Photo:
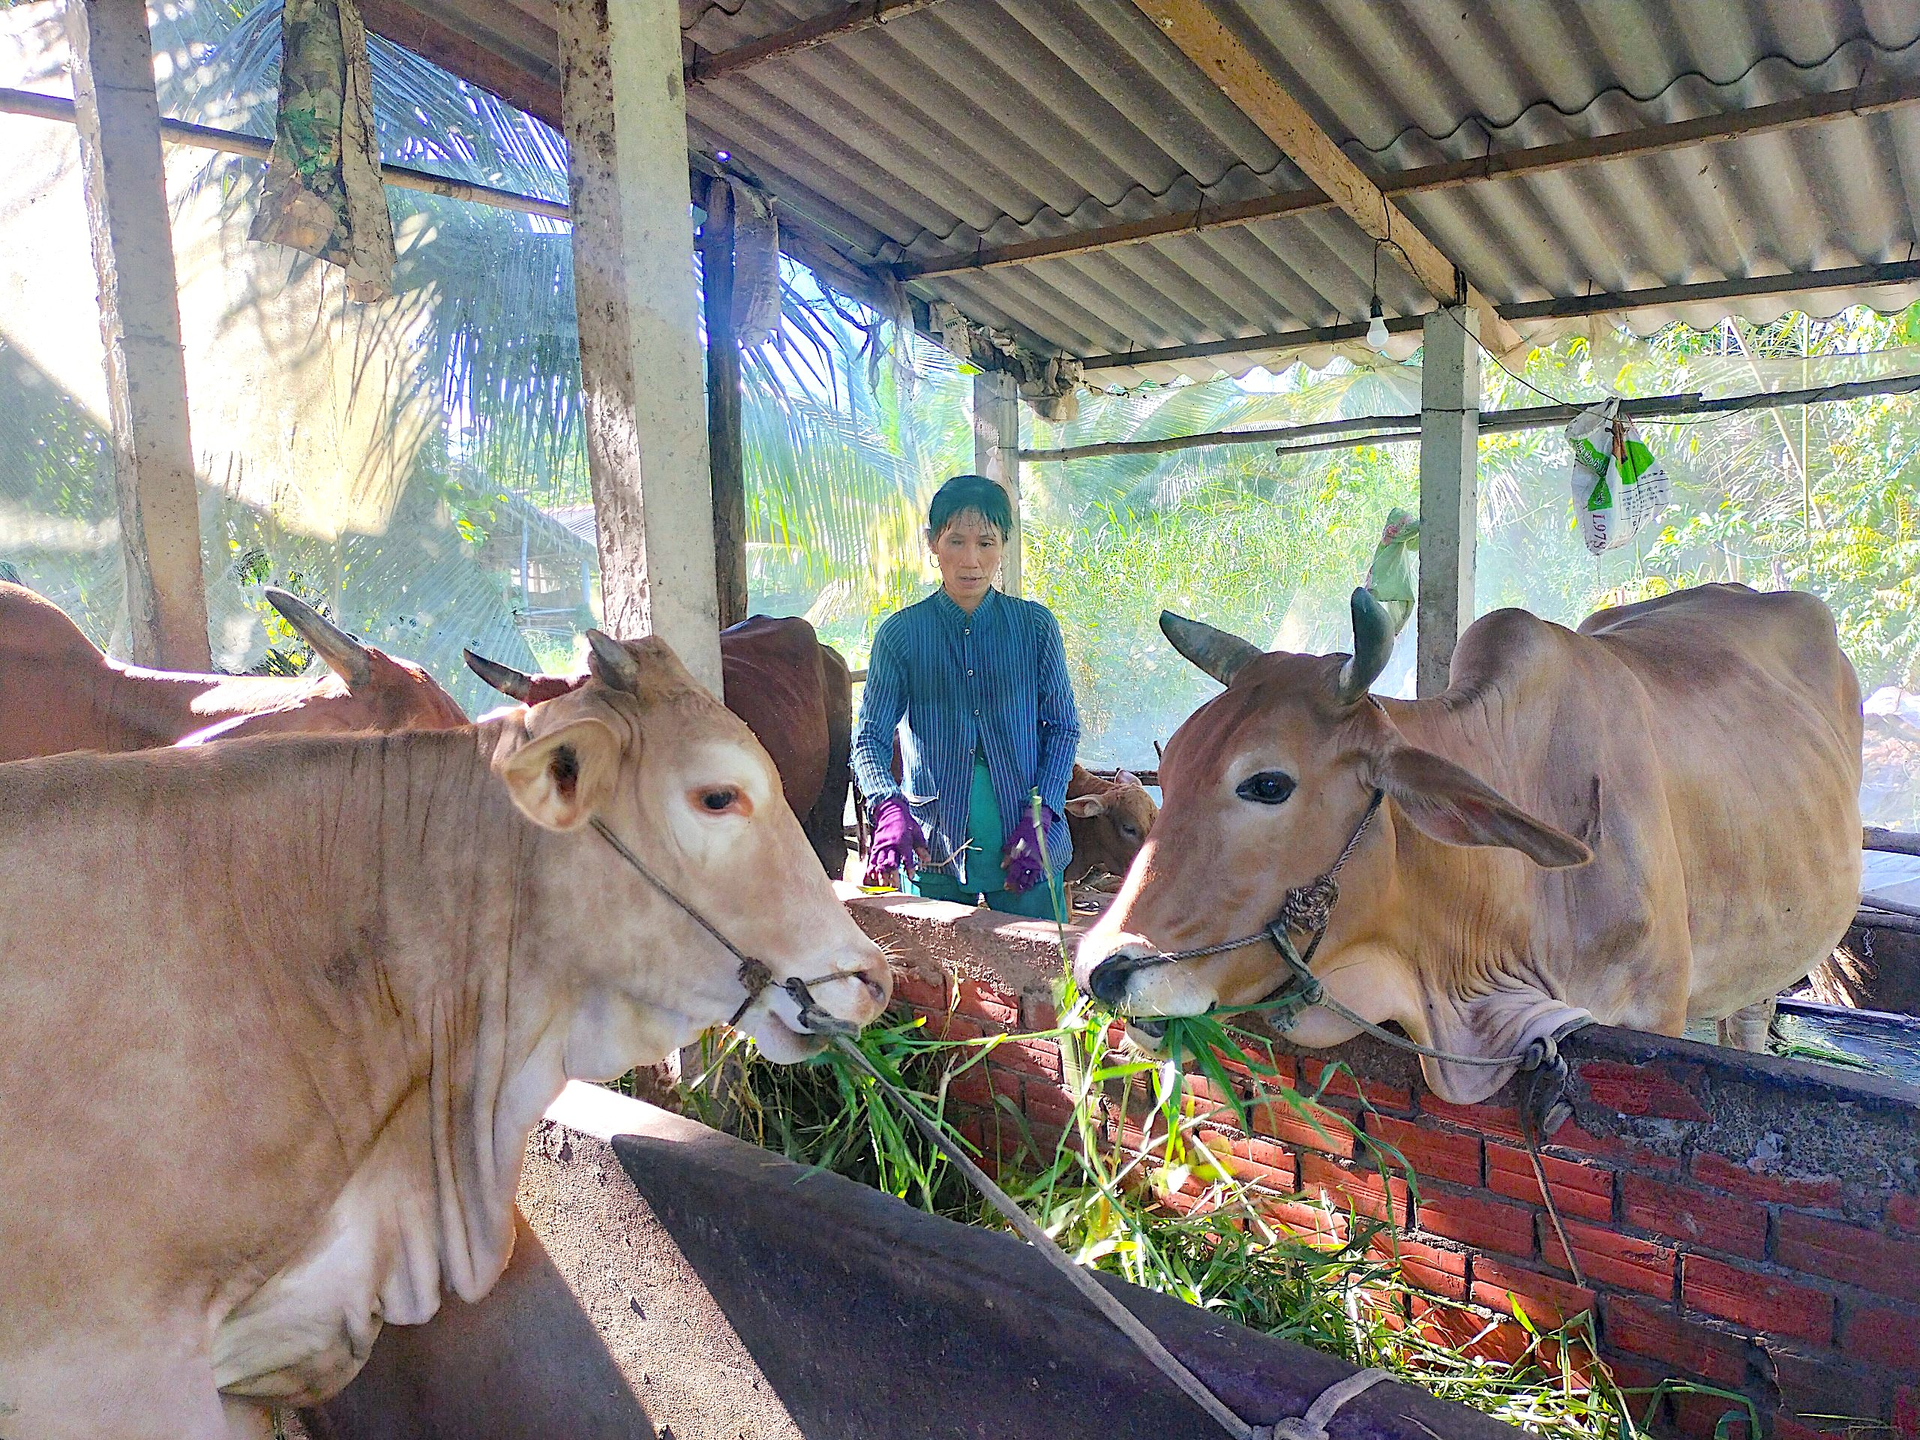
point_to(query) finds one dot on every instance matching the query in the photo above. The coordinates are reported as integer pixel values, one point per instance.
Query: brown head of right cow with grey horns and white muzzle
(1262, 790)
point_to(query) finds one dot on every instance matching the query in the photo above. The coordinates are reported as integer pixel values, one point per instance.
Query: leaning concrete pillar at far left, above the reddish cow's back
(141, 327)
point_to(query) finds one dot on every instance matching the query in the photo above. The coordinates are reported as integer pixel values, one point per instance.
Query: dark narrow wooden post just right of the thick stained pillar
(723, 406)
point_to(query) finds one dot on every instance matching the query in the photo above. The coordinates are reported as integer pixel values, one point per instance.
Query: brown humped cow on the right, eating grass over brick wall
(1646, 821)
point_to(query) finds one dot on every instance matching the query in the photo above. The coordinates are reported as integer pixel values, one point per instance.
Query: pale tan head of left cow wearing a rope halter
(692, 794)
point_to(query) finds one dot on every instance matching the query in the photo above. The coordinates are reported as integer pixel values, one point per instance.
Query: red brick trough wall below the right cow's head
(1742, 1222)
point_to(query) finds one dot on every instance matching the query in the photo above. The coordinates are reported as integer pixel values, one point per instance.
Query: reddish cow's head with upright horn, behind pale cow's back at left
(364, 690)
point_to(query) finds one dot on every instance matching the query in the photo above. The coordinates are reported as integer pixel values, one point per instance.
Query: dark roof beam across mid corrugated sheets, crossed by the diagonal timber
(1533, 160)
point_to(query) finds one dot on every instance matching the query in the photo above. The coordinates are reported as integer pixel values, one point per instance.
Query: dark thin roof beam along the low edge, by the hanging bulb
(1612, 302)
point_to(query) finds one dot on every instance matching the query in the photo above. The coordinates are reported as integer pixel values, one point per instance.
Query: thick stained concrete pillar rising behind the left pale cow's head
(623, 108)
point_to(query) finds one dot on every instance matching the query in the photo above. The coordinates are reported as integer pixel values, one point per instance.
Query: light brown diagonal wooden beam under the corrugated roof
(1220, 55)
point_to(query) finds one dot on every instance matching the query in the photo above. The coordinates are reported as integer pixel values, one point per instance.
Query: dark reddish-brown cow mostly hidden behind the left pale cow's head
(796, 696)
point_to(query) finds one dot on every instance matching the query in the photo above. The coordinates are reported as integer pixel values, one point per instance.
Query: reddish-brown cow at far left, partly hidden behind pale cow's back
(60, 694)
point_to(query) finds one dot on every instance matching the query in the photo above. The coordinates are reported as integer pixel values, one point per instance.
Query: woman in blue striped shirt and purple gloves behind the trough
(982, 683)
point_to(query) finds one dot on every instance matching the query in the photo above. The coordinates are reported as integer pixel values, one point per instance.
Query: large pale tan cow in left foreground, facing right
(279, 1015)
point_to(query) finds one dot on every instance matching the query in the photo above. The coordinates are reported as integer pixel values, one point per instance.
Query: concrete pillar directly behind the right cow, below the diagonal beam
(1451, 443)
